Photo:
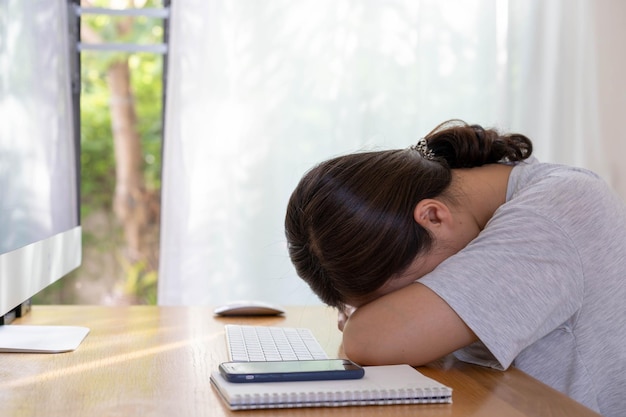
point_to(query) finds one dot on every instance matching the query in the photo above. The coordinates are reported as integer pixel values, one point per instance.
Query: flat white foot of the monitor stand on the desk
(40, 339)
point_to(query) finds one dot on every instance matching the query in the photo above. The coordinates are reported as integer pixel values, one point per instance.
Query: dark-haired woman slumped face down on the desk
(465, 244)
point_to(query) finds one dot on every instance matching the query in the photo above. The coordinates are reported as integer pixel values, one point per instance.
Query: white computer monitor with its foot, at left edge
(40, 231)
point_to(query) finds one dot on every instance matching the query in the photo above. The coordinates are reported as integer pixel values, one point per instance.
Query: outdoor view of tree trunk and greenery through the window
(120, 130)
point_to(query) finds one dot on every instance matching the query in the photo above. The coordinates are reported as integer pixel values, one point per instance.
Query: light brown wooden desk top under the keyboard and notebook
(156, 361)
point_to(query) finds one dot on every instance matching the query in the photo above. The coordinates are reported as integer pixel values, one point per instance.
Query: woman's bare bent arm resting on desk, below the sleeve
(412, 325)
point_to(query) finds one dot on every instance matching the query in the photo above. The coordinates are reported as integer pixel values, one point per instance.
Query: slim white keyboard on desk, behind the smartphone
(269, 343)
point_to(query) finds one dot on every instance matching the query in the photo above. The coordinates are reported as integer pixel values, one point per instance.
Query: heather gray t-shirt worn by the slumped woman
(543, 286)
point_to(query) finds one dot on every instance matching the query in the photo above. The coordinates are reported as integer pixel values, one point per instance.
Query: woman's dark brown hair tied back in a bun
(349, 222)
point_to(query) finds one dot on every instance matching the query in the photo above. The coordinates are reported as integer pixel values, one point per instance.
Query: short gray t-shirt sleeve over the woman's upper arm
(516, 282)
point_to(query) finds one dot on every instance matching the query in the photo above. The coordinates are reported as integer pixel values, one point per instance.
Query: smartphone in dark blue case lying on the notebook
(277, 371)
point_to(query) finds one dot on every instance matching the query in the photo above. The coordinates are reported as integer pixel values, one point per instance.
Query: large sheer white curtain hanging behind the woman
(259, 91)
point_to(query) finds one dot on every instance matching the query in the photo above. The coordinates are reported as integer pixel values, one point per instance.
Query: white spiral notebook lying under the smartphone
(381, 385)
